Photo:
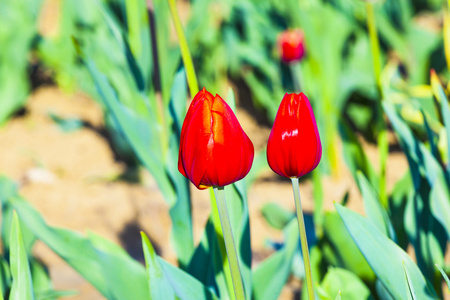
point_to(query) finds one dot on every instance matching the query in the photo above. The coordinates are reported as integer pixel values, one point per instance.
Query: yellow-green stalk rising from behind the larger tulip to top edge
(185, 53)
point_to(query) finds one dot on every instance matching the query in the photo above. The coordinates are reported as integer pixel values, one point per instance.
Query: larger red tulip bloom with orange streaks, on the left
(214, 150)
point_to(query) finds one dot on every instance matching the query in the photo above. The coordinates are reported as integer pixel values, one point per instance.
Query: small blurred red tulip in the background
(291, 45)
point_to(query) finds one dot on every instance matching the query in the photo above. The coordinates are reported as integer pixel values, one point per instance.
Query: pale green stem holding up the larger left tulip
(229, 243)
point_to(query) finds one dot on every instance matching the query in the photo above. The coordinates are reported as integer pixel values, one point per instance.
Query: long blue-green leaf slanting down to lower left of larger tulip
(141, 131)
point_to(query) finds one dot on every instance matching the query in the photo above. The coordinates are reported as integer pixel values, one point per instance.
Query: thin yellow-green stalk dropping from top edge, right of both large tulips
(383, 143)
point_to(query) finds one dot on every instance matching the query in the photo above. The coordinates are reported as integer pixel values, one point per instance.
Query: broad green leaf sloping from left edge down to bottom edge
(110, 270)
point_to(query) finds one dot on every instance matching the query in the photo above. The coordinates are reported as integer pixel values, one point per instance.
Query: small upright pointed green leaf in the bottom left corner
(22, 286)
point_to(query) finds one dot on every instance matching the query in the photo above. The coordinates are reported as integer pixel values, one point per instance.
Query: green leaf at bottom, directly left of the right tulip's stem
(271, 275)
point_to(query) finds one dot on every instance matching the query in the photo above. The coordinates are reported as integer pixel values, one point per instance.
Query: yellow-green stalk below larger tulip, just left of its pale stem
(215, 218)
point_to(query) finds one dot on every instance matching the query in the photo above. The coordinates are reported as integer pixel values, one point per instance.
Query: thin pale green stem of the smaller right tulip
(303, 240)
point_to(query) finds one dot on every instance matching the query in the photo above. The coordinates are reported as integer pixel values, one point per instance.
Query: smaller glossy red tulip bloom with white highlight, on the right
(294, 147)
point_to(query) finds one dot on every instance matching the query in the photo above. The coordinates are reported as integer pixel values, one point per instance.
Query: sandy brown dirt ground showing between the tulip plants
(70, 179)
